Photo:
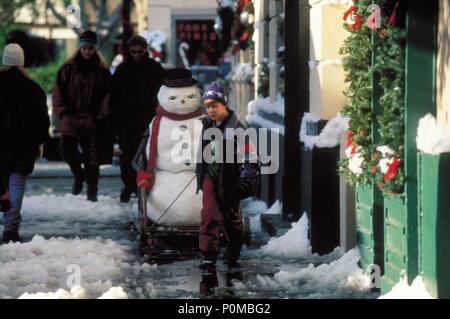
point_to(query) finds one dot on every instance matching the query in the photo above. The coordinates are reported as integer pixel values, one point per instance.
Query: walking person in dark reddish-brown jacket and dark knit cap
(80, 98)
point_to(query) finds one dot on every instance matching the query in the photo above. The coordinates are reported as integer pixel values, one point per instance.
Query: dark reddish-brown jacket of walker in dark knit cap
(80, 96)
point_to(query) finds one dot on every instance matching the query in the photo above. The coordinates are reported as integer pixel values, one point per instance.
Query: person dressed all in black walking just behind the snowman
(133, 102)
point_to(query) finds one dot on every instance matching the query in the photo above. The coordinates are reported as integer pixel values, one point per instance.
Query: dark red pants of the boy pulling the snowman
(216, 218)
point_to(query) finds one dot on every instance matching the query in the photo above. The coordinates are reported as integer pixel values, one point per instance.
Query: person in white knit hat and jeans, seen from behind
(24, 124)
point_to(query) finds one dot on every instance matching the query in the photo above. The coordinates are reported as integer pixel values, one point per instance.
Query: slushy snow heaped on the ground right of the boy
(302, 274)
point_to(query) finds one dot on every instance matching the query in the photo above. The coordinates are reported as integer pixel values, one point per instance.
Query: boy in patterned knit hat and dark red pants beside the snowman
(223, 182)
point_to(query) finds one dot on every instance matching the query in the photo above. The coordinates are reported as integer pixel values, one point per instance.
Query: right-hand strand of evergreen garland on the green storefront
(390, 64)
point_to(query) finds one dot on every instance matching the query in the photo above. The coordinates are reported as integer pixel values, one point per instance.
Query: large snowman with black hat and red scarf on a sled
(171, 149)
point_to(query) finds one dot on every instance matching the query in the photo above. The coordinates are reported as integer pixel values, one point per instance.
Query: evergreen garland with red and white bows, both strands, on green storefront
(390, 65)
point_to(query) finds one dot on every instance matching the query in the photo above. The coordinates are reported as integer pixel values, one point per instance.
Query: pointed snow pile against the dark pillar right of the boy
(293, 244)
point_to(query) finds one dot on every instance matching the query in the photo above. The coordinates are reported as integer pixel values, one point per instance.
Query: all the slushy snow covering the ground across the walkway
(110, 267)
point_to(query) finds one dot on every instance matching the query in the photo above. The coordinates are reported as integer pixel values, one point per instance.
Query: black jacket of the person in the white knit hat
(24, 121)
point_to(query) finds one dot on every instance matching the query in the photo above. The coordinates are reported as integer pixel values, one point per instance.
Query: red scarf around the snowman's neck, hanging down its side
(146, 178)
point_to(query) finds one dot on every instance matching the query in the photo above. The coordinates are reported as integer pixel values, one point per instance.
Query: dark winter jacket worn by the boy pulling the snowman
(236, 181)
